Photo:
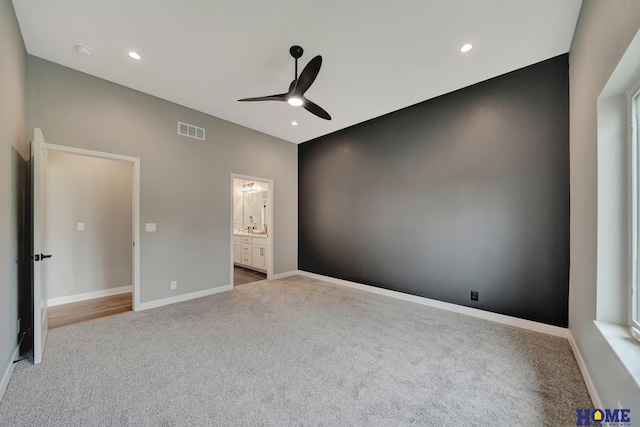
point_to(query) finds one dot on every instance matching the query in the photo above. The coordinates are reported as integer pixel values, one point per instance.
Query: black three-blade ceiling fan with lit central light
(297, 88)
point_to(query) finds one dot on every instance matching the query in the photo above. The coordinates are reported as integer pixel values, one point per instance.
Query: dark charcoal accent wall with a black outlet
(467, 191)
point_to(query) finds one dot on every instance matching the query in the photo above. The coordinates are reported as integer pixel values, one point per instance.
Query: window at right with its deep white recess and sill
(618, 214)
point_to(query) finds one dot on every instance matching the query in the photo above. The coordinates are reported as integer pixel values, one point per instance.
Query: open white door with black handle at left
(38, 176)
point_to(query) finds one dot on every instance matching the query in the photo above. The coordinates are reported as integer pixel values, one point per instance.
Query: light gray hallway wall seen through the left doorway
(96, 192)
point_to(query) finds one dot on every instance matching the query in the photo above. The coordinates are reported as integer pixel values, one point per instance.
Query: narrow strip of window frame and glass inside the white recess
(634, 301)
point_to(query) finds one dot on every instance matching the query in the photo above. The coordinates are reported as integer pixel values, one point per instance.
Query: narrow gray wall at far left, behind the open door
(12, 147)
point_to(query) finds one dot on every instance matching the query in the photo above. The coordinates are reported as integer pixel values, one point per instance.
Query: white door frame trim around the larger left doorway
(135, 162)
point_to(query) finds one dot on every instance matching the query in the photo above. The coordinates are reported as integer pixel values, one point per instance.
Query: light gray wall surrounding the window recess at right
(603, 33)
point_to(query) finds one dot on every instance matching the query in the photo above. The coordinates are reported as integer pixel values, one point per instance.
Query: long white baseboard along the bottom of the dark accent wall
(469, 311)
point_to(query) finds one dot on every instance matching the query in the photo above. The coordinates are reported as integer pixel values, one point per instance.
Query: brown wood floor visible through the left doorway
(68, 314)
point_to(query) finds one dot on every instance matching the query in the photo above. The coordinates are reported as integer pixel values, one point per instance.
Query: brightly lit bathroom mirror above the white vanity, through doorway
(250, 211)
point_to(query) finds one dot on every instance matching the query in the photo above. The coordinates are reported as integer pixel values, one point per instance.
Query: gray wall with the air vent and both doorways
(185, 183)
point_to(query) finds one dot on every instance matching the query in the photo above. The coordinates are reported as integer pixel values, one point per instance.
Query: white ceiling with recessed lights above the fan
(378, 56)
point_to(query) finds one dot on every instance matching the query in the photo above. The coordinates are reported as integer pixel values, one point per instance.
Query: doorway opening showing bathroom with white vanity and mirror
(251, 229)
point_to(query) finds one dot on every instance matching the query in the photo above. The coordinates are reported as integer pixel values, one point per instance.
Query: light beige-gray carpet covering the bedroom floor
(296, 351)
